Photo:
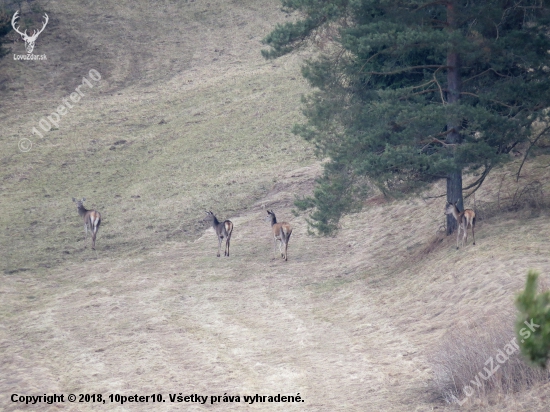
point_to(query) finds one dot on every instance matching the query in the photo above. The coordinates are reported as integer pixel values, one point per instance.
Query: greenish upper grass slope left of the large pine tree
(152, 145)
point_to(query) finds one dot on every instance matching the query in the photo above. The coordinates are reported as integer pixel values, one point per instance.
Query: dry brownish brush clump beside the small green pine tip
(481, 360)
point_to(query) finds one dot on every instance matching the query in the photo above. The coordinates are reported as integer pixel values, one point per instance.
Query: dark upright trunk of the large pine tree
(454, 179)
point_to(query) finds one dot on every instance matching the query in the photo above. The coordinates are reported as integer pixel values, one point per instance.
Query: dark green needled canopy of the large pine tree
(410, 92)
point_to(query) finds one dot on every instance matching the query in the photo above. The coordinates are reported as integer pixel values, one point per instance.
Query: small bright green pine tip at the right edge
(533, 324)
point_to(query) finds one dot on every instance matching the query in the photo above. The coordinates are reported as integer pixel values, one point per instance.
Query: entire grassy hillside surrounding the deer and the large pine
(189, 117)
